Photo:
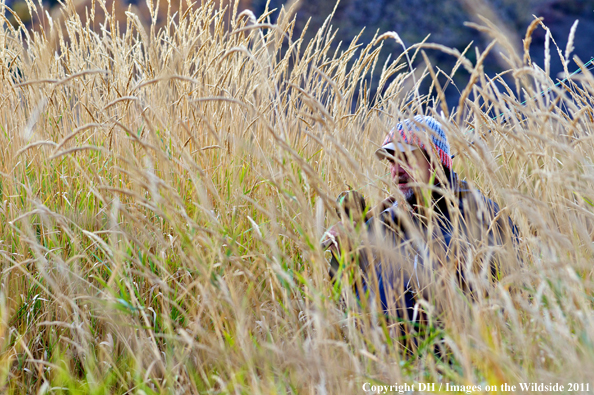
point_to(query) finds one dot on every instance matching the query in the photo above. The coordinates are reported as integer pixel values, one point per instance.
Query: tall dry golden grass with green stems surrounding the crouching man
(163, 194)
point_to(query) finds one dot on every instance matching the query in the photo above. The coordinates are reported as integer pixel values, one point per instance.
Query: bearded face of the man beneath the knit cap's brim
(408, 168)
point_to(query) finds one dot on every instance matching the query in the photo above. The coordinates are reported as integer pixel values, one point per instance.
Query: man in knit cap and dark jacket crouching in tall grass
(411, 247)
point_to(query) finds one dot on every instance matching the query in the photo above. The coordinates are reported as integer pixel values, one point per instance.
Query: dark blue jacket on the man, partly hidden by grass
(408, 253)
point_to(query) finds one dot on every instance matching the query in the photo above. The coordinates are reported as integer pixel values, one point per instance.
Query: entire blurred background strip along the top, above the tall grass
(413, 20)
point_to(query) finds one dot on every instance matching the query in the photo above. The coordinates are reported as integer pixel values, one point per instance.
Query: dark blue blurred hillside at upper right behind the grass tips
(444, 21)
